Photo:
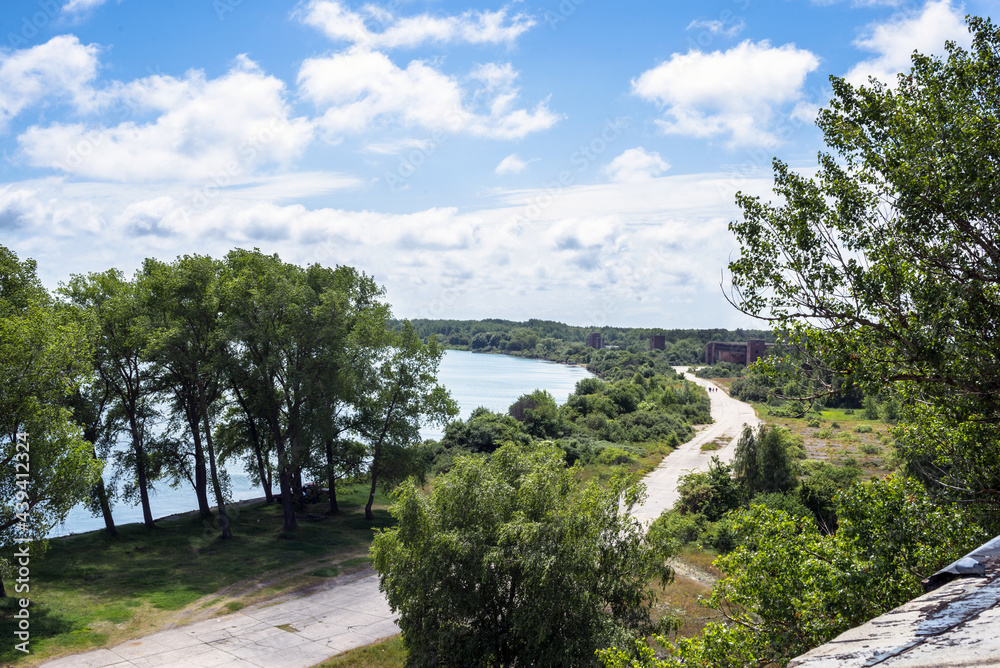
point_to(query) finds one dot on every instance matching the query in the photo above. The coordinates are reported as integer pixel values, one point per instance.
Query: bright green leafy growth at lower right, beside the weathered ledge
(787, 587)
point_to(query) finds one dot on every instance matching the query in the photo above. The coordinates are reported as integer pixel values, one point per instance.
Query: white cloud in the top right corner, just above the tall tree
(895, 40)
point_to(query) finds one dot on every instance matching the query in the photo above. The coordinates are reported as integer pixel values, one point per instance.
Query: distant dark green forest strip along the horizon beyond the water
(546, 339)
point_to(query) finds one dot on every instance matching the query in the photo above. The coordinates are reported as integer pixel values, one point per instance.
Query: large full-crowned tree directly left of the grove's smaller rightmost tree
(300, 343)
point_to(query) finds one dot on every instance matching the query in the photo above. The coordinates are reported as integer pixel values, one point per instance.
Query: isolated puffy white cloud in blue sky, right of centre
(732, 93)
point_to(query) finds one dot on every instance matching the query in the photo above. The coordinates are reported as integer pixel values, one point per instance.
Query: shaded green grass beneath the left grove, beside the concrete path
(91, 590)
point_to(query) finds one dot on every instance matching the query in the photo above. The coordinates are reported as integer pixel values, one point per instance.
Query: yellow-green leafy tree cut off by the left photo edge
(46, 467)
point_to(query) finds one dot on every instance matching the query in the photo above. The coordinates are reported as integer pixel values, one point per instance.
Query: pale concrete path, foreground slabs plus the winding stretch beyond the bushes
(305, 631)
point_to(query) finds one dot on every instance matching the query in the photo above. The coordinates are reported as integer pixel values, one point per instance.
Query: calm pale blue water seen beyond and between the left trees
(493, 381)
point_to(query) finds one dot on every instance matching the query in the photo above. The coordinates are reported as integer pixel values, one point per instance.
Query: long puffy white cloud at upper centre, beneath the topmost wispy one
(359, 88)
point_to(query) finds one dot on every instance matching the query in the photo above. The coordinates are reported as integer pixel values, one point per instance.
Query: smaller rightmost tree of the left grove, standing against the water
(400, 394)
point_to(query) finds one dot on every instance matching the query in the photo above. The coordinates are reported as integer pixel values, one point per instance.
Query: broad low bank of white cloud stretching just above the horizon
(638, 253)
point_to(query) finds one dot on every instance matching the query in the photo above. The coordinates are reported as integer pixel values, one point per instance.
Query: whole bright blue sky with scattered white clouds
(572, 160)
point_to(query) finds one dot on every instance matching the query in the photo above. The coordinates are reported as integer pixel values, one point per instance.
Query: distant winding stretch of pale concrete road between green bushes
(661, 484)
